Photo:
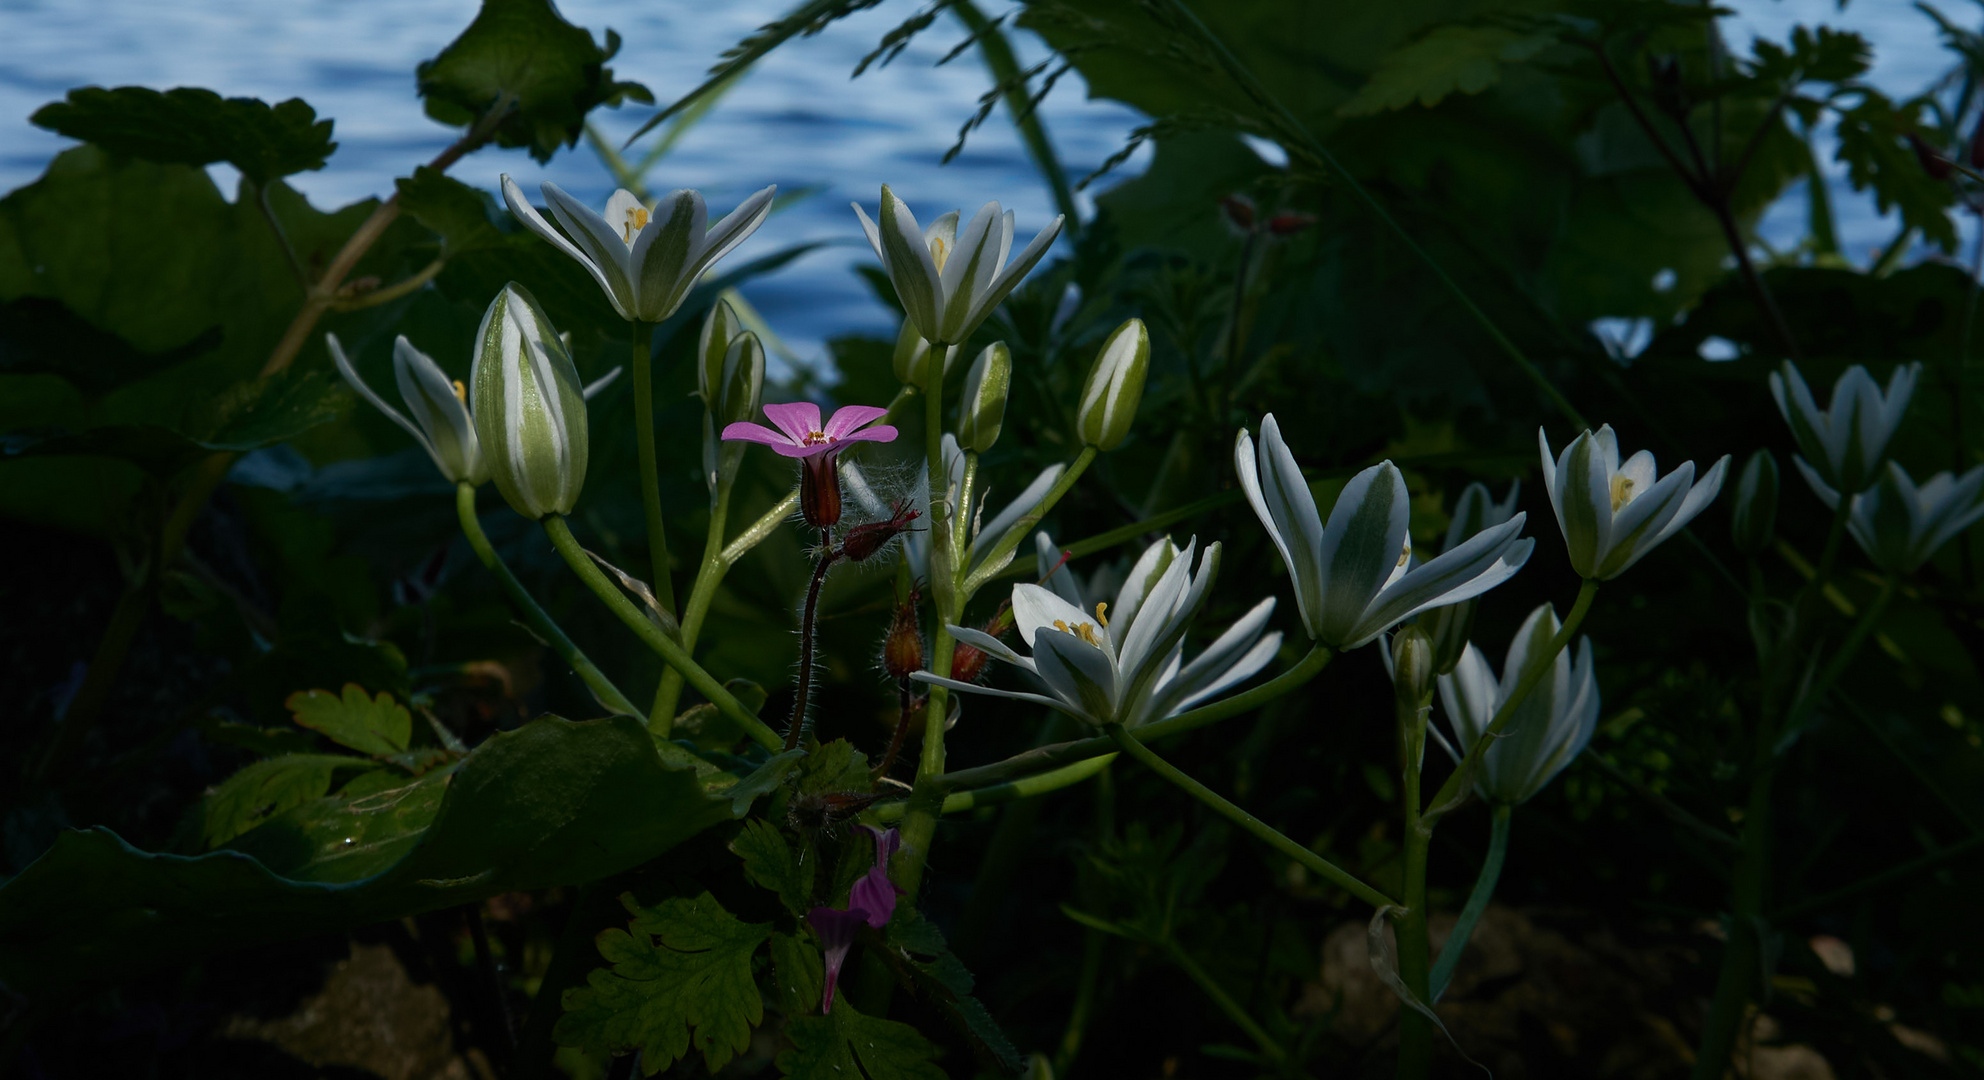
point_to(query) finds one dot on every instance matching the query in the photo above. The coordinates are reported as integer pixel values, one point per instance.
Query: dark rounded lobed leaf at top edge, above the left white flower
(527, 55)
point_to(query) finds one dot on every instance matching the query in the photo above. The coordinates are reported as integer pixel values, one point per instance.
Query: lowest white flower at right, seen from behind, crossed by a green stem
(1549, 730)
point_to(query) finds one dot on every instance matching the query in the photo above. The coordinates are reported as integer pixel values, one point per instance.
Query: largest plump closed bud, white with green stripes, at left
(529, 406)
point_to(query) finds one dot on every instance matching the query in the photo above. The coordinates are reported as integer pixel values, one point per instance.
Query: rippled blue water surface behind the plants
(797, 120)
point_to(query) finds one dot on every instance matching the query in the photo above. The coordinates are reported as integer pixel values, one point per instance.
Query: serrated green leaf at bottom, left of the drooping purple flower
(682, 974)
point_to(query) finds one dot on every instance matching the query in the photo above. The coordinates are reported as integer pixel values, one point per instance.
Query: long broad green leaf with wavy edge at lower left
(553, 803)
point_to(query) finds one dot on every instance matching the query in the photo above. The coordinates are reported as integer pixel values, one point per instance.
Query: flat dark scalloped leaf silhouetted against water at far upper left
(193, 126)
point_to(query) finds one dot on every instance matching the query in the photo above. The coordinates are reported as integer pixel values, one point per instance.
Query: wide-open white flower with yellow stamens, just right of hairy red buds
(1126, 662)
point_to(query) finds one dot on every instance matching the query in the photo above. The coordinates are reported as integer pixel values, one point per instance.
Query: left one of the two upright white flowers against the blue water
(646, 261)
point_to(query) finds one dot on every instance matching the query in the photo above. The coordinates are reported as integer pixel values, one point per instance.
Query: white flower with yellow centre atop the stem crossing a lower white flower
(1612, 513)
